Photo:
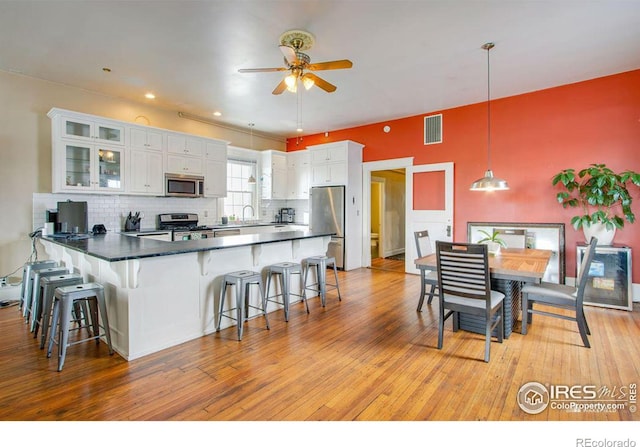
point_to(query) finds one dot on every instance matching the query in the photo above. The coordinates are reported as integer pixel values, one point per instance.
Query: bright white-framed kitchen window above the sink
(239, 192)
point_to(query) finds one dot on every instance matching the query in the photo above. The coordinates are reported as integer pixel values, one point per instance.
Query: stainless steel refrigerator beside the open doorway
(327, 214)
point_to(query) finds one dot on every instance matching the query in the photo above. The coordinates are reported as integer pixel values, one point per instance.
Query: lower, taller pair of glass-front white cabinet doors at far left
(79, 167)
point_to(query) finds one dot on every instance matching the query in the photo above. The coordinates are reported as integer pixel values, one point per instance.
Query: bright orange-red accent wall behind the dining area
(533, 136)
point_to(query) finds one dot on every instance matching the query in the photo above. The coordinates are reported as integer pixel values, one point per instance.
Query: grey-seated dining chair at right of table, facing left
(561, 297)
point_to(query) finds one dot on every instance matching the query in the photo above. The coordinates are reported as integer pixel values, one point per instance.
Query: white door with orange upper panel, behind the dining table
(429, 206)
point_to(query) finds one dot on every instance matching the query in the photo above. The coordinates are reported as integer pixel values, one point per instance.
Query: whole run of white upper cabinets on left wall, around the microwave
(94, 154)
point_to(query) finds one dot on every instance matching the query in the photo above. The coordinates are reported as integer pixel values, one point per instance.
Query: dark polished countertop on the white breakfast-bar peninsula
(114, 247)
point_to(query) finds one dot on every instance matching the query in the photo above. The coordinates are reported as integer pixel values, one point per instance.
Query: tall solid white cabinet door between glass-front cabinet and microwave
(145, 173)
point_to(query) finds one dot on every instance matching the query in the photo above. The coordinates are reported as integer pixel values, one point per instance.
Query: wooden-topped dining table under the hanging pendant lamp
(509, 269)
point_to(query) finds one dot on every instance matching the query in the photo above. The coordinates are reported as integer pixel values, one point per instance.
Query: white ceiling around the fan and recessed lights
(409, 57)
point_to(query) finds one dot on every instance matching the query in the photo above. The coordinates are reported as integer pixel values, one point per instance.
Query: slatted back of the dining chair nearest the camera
(463, 270)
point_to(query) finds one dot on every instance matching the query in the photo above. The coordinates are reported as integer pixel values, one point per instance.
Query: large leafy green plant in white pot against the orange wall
(602, 196)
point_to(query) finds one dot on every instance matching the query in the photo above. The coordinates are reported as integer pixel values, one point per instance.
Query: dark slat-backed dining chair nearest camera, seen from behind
(465, 287)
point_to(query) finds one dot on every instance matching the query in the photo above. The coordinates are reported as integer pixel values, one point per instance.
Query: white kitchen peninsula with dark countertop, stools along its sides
(159, 293)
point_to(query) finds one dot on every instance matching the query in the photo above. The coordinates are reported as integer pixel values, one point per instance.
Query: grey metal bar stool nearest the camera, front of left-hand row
(63, 300)
